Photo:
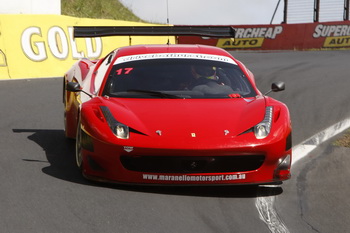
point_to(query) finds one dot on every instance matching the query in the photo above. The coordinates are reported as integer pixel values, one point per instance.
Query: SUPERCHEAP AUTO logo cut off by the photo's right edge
(335, 35)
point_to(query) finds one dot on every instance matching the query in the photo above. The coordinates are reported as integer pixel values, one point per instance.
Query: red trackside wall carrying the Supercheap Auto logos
(327, 35)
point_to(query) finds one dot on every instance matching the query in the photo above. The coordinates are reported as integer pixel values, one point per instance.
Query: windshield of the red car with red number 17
(177, 78)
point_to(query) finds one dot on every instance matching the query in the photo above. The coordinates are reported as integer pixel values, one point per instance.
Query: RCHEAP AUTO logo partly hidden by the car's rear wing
(250, 37)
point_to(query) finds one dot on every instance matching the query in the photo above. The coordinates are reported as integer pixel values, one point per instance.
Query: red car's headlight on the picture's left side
(119, 129)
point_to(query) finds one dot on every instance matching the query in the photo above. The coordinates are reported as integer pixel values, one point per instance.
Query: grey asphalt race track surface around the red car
(42, 191)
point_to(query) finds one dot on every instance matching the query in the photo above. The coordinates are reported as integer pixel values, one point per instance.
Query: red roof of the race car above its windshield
(176, 48)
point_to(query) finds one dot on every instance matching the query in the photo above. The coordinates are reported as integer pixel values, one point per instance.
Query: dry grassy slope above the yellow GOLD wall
(101, 9)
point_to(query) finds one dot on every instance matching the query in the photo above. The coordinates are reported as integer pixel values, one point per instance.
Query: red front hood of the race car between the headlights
(188, 117)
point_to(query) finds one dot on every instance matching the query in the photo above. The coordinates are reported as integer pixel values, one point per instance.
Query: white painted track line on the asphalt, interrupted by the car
(265, 205)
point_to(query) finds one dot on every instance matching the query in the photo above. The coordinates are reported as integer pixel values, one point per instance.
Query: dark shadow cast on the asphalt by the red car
(60, 155)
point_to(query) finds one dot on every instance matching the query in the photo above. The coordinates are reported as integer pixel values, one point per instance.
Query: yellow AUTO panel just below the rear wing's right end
(240, 43)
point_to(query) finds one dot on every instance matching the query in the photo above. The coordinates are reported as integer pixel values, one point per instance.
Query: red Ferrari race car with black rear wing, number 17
(174, 115)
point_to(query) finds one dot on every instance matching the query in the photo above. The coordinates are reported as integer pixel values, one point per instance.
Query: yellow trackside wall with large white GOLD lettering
(34, 46)
